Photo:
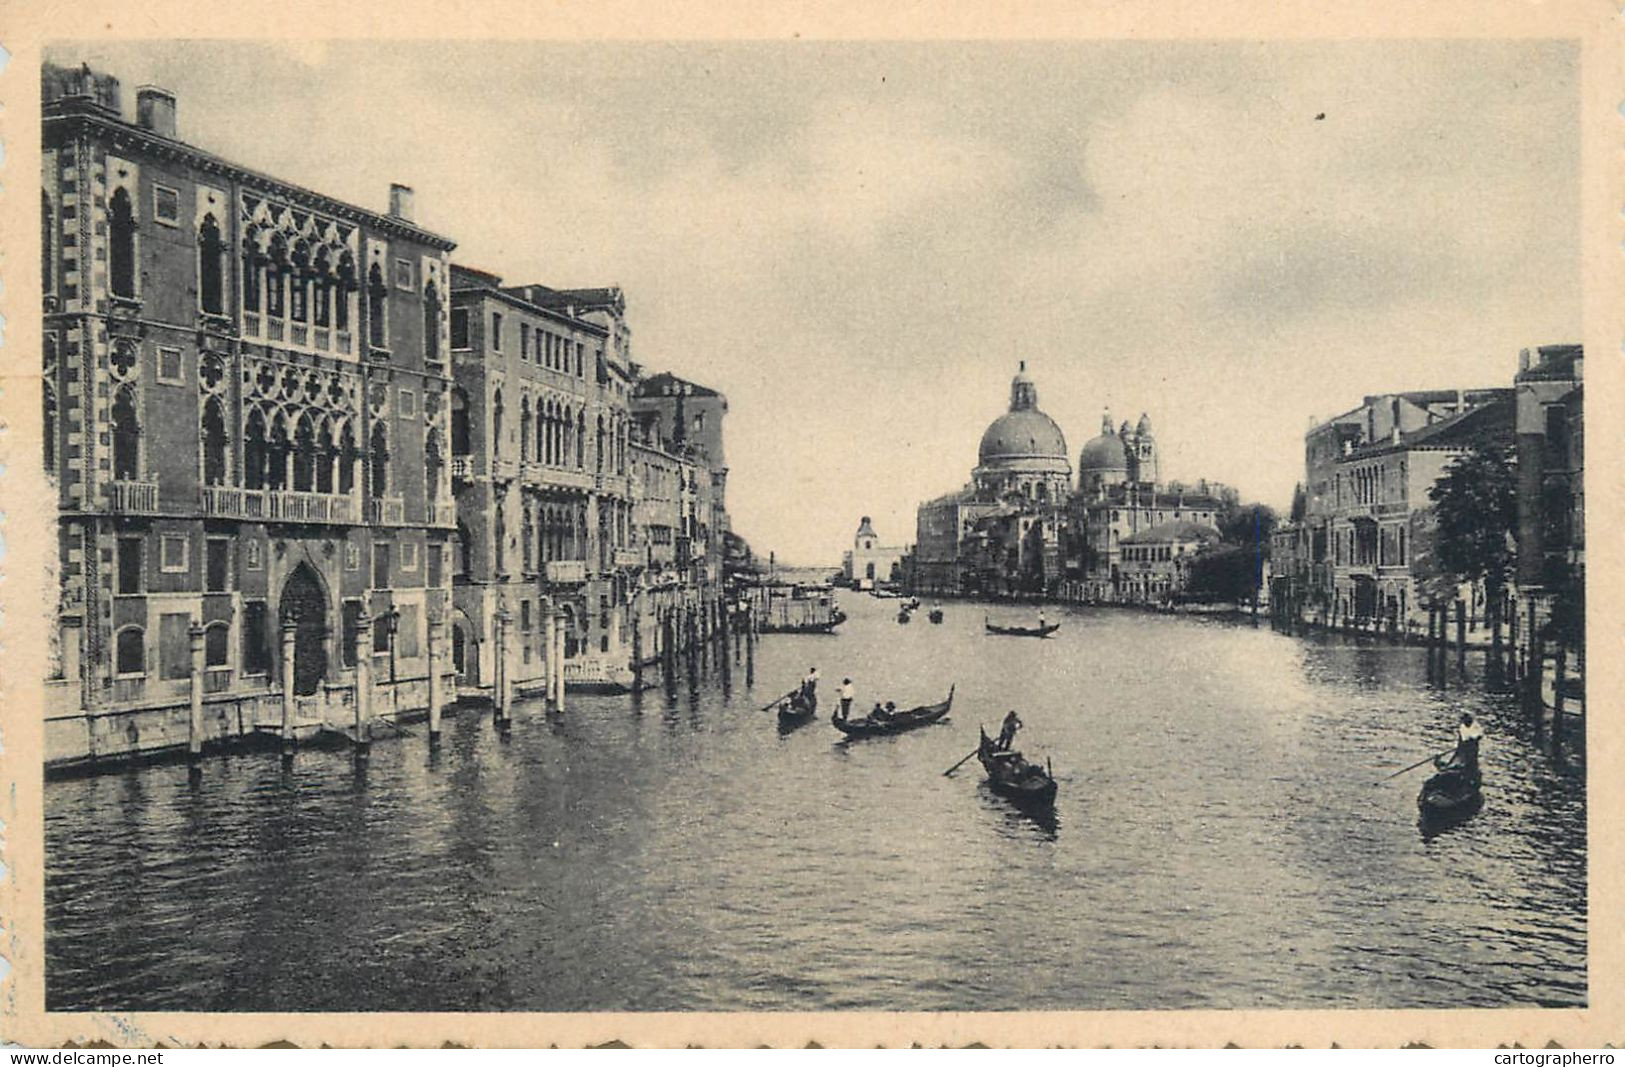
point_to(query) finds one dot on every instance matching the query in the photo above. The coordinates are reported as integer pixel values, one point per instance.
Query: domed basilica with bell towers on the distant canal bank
(1021, 524)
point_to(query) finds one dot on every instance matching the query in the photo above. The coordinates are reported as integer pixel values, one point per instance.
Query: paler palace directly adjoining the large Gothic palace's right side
(542, 462)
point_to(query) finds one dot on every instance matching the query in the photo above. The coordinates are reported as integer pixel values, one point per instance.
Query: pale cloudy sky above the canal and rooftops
(859, 243)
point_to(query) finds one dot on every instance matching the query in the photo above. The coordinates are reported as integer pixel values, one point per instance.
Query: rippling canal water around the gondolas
(1220, 842)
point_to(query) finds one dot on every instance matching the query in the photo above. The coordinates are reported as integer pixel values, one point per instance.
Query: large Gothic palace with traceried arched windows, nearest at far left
(248, 397)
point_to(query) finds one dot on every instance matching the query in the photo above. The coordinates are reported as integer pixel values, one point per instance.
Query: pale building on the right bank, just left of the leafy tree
(1366, 527)
